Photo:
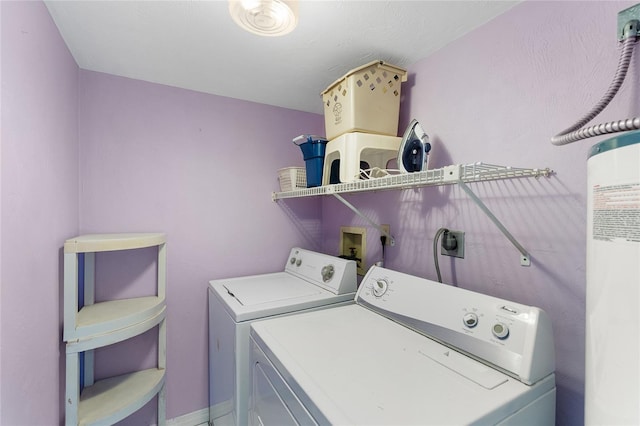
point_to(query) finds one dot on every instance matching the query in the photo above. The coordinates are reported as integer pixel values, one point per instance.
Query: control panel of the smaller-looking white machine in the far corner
(329, 272)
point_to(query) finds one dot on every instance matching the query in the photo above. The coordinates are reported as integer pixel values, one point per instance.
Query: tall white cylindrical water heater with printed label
(612, 352)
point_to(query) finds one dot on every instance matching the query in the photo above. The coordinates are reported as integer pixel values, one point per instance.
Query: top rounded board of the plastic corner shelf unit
(111, 242)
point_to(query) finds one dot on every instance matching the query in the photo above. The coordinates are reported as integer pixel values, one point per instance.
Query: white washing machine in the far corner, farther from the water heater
(310, 281)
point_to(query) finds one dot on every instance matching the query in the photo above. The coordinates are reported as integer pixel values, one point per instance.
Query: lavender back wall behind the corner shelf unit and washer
(200, 168)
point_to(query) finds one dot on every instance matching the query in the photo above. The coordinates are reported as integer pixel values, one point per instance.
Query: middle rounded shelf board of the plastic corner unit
(109, 316)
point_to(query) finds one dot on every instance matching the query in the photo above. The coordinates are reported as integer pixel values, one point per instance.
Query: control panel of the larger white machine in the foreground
(516, 338)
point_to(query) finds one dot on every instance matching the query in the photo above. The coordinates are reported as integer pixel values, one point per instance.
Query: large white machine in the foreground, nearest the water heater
(410, 351)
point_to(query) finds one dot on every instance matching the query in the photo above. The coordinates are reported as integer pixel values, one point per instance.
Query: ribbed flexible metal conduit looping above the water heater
(576, 132)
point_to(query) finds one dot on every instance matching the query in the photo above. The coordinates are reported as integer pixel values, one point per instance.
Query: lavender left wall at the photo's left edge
(39, 198)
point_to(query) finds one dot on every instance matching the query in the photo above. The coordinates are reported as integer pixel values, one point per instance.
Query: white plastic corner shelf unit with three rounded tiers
(100, 324)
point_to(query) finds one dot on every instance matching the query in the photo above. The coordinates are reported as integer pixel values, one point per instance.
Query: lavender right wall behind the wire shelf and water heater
(497, 95)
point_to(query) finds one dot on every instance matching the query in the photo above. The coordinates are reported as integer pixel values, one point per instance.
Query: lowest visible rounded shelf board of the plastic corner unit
(108, 401)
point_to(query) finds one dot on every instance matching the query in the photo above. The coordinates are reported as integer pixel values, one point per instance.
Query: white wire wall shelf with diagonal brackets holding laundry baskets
(458, 174)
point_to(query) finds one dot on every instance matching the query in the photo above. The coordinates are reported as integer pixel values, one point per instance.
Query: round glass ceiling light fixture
(265, 17)
